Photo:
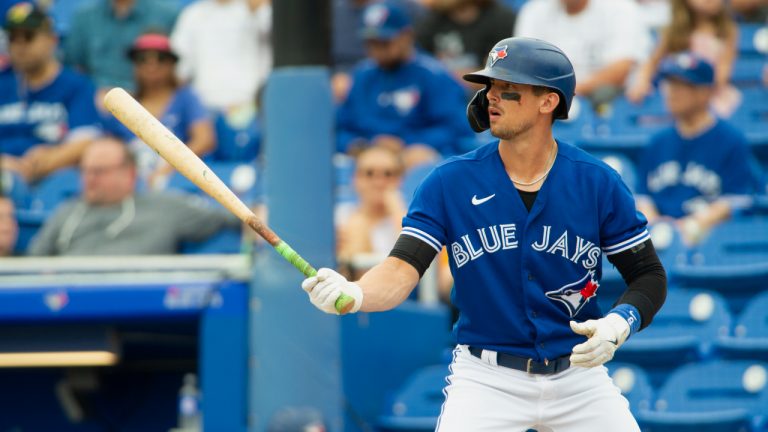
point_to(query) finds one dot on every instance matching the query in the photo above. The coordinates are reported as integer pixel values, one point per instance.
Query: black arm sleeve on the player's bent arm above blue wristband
(645, 278)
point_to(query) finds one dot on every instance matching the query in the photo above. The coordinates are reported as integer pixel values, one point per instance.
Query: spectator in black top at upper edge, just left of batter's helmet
(459, 32)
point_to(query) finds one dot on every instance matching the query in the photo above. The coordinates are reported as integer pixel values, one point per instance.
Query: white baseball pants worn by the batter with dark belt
(482, 396)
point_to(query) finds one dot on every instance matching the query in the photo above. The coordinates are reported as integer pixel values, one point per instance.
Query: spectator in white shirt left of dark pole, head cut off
(225, 49)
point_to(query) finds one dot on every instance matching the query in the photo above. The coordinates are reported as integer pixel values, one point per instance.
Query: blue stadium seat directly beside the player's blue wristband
(682, 331)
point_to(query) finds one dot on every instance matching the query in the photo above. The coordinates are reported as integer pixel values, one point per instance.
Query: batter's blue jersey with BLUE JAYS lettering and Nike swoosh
(521, 276)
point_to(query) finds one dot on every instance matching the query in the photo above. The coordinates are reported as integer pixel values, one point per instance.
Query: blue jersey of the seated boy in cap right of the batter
(681, 174)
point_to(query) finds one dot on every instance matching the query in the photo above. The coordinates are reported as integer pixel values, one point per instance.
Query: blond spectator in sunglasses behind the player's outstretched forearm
(373, 226)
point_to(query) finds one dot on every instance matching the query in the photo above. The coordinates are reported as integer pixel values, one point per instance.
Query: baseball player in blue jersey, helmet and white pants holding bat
(526, 220)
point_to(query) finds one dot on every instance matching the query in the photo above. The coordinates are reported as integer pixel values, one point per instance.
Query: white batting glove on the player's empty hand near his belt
(605, 336)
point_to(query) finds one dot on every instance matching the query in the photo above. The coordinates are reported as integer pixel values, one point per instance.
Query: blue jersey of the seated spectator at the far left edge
(57, 112)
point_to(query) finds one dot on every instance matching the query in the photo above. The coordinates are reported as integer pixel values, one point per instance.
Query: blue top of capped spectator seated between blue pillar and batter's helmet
(420, 102)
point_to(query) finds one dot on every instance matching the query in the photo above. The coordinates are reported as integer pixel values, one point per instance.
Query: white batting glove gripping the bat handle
(327, 286)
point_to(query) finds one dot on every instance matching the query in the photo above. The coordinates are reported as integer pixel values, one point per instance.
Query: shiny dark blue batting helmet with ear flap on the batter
(530, 61)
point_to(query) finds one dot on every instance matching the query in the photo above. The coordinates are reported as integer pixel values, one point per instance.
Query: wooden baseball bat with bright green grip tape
(136, 118)
